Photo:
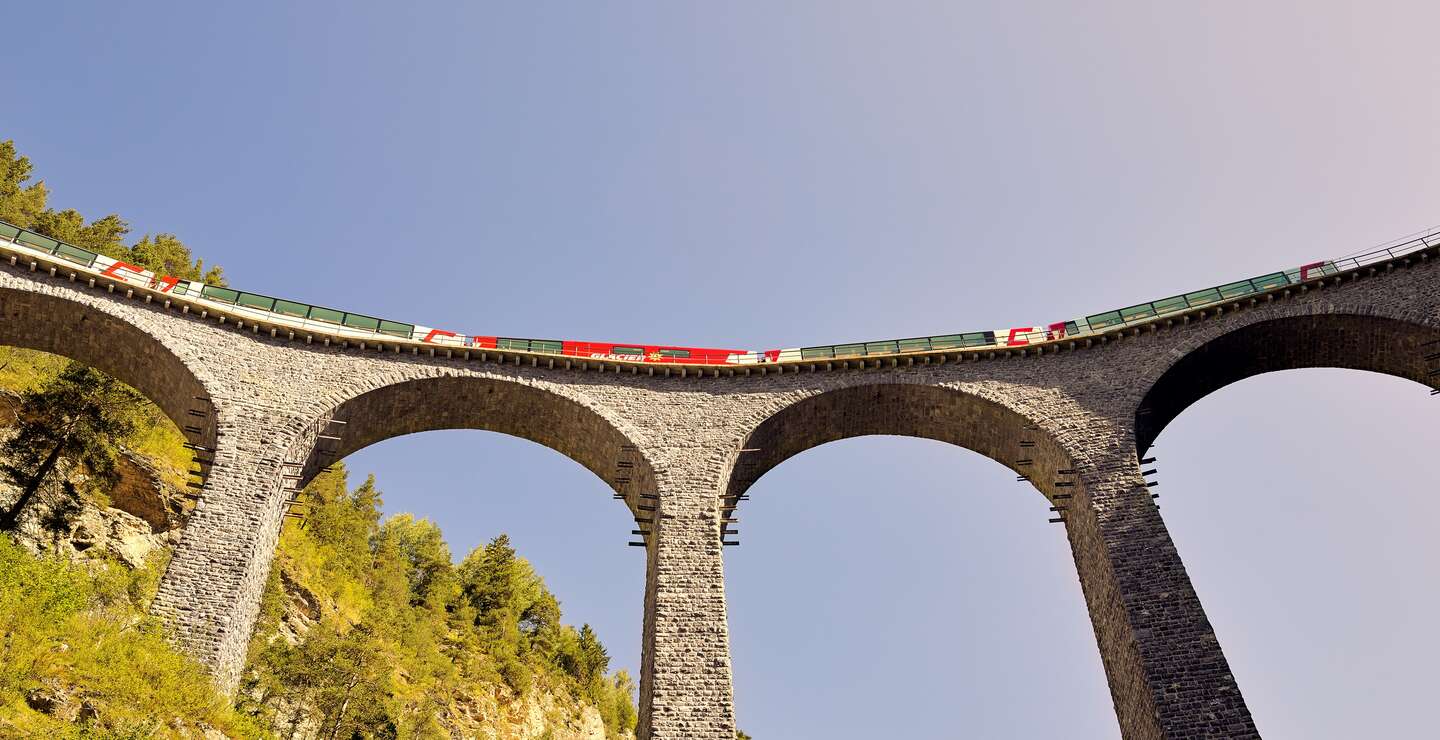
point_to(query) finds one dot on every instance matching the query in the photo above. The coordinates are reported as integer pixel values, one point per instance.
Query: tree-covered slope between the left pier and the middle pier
(401, 631)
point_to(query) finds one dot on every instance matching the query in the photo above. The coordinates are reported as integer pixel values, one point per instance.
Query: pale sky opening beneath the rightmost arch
(1304, 505)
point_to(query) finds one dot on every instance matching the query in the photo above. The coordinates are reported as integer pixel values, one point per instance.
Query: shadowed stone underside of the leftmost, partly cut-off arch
(114, 346)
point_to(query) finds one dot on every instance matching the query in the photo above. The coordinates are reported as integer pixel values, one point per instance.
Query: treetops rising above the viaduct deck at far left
(27, 207)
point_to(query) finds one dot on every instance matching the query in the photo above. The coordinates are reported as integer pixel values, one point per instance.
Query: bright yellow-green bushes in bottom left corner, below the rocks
(87, 631)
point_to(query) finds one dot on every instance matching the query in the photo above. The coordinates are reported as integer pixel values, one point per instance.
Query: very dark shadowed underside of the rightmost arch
(1356, 340)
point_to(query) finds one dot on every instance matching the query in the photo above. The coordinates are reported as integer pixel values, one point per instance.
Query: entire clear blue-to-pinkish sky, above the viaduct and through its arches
(773, 175)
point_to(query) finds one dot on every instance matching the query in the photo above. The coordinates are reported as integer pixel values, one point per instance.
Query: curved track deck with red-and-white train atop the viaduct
(310, 323)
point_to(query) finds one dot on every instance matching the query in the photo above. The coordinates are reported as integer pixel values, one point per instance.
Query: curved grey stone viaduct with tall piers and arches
(682, 444)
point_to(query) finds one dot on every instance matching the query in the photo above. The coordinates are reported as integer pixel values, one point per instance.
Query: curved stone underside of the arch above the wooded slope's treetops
(564, 424)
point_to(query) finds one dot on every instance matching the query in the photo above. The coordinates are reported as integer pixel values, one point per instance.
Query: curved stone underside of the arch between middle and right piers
(902, 410)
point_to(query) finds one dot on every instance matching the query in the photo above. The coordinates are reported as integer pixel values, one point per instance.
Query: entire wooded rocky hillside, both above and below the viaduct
(369, 627)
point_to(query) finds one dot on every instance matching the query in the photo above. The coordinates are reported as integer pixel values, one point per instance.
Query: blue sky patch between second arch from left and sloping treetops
(554, 510)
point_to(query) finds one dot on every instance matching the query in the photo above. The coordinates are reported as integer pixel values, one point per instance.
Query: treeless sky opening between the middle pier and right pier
(889, 587)
